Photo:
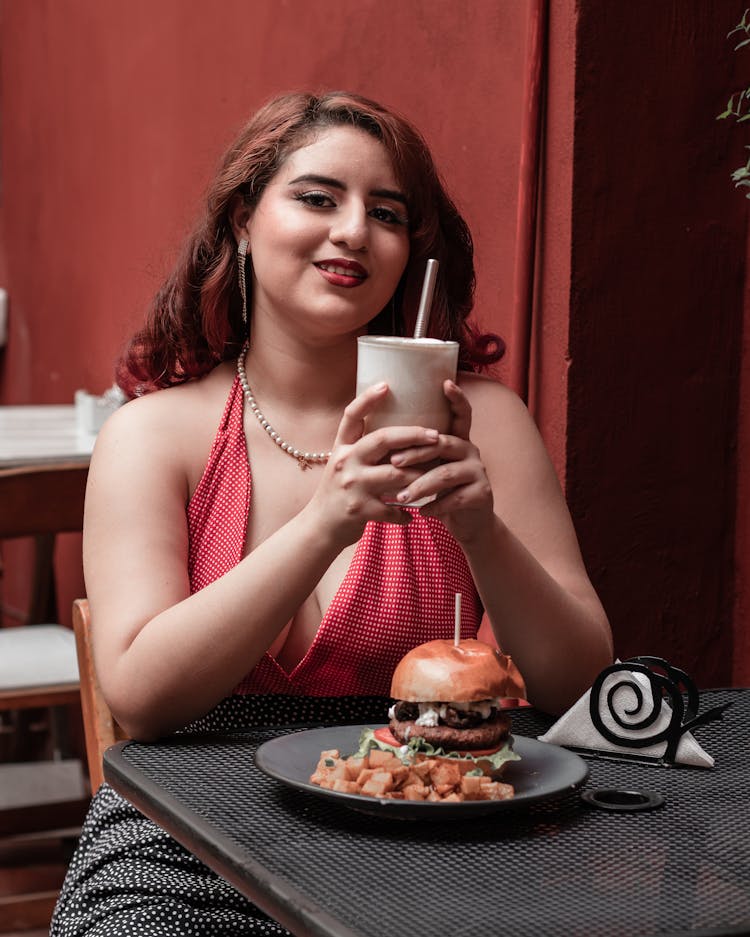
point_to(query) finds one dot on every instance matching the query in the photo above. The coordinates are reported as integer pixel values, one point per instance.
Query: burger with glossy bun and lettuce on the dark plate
(447, 703)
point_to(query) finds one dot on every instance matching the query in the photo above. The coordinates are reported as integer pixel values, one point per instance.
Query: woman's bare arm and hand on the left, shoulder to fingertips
(165, 656)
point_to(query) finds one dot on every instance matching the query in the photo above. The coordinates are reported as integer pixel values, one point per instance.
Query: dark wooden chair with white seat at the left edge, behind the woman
(40, 698)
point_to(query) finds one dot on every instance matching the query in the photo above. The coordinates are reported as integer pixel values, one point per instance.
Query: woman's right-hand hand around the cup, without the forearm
(464, 500)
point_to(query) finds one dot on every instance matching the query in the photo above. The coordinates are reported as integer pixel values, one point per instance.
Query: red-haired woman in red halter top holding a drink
(228, 596)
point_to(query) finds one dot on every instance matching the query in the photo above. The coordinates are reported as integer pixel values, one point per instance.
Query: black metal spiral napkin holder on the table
(667, 684)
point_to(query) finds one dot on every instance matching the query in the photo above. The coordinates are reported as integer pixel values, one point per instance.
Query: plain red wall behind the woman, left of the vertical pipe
(114, 116)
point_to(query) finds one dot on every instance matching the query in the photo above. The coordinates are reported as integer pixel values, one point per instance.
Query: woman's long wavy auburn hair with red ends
(195, 320)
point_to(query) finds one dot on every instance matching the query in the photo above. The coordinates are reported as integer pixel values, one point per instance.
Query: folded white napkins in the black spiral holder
(575, 728)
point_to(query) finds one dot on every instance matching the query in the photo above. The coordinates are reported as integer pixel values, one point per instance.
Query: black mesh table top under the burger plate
(557, 868)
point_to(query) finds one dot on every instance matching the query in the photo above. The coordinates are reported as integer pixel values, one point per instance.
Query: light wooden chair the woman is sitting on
(100, 728)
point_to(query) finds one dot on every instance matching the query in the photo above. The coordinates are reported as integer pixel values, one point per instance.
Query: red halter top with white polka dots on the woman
(398, 592)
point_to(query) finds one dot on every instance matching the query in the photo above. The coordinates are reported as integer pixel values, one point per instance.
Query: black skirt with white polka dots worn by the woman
(128, 878)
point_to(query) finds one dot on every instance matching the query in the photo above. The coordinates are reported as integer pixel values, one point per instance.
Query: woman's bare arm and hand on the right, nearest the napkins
(508, 512)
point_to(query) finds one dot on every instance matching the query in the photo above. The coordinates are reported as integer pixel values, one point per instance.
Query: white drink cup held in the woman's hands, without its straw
(414, 370)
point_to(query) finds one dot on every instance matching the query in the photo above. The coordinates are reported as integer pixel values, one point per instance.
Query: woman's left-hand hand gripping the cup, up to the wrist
(361, 476)
